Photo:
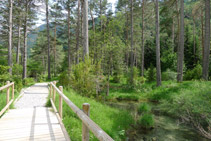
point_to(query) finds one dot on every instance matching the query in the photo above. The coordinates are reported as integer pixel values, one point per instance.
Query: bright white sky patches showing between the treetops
(41, 14)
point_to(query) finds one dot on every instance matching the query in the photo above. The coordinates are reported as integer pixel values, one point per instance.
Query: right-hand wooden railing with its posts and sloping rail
(87, 123)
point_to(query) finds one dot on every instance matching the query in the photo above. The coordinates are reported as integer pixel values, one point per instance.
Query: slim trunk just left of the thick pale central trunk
(78, 34)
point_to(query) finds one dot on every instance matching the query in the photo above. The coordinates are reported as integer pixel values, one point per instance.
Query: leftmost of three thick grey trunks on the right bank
(158, 67)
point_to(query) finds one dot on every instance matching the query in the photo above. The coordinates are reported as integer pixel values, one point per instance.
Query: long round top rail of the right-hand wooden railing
(97, 131)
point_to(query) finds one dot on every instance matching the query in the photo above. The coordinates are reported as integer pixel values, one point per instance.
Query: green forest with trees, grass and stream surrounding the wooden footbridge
(143, 65)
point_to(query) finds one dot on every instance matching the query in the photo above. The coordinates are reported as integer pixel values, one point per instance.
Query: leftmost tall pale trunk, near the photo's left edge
(10, 37)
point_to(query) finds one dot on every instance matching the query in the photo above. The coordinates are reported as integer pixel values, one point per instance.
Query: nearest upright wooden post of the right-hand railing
(85, 130)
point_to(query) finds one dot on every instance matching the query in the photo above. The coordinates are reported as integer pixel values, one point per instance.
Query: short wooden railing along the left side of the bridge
(8, 101)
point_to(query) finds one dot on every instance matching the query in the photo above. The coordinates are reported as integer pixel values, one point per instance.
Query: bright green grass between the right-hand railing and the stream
(112, 121)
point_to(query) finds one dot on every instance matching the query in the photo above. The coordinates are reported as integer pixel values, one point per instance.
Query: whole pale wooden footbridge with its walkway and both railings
(32, 121)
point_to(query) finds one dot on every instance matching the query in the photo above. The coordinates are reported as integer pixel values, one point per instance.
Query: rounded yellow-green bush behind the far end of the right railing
(85, 78)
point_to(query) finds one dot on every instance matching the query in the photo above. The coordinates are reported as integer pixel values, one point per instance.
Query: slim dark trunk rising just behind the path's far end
(48, 38)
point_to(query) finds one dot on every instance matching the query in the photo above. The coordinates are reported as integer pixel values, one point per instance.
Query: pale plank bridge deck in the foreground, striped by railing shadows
(38, 123)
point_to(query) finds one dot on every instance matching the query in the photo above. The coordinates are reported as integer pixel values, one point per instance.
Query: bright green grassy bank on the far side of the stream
(168, 90)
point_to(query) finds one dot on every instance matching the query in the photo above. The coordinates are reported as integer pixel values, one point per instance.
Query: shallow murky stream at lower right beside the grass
(166, 128)
